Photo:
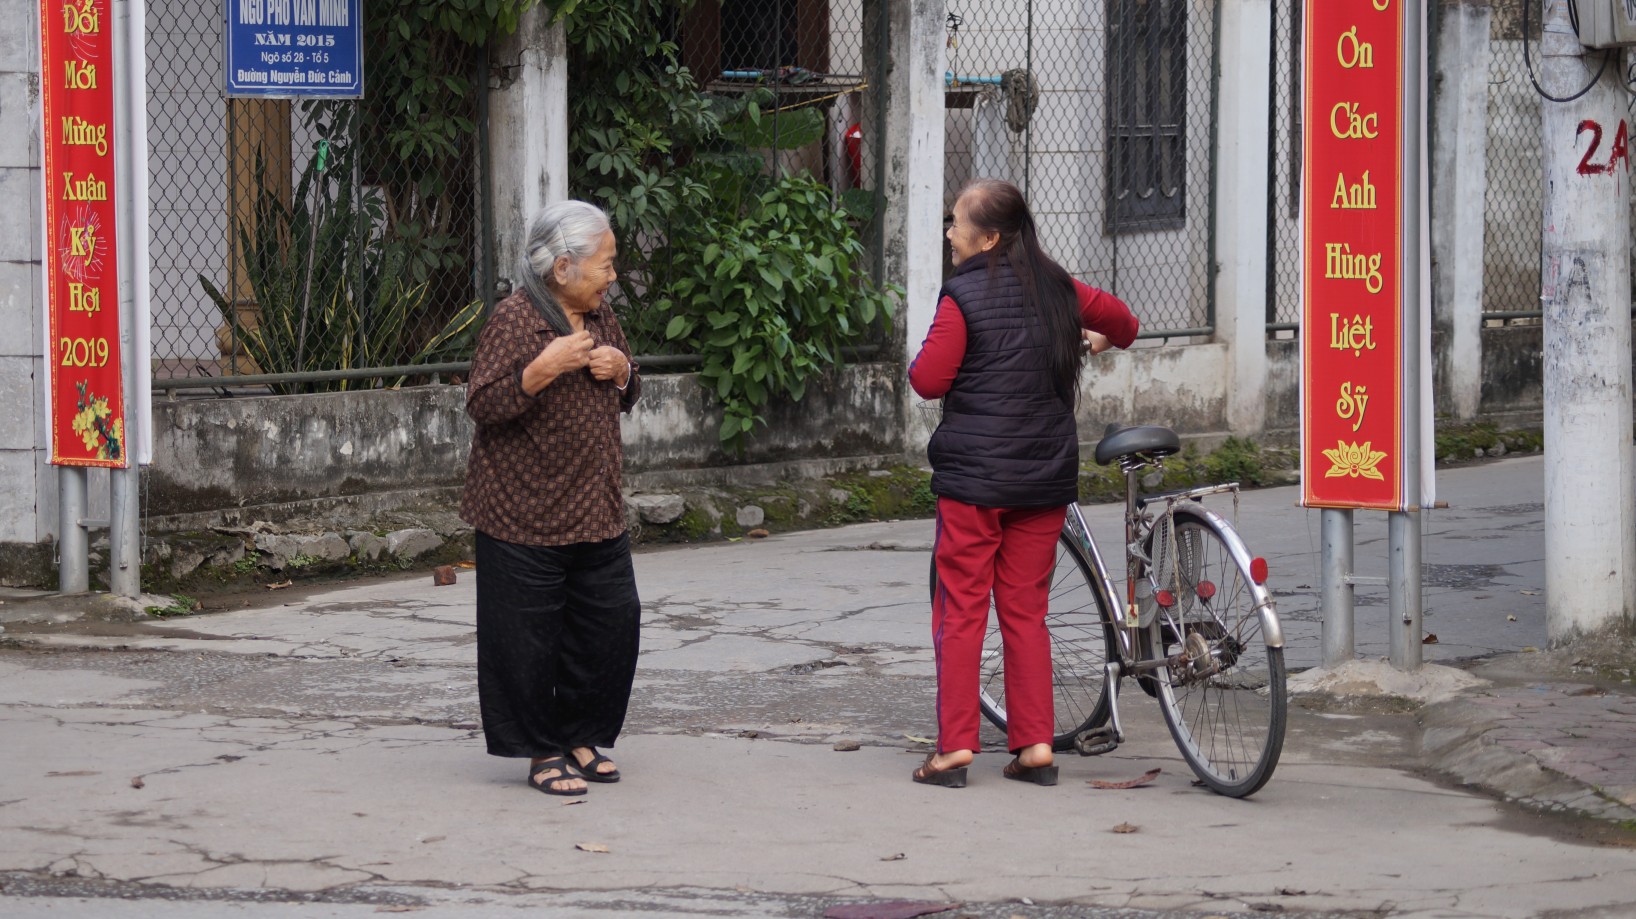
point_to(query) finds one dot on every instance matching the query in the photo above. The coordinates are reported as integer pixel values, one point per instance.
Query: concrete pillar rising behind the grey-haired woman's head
(528, 132)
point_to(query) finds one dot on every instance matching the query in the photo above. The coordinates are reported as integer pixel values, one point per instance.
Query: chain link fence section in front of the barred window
(1105, 115)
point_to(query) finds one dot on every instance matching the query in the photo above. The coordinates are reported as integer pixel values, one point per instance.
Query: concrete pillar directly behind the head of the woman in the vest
(914, 173)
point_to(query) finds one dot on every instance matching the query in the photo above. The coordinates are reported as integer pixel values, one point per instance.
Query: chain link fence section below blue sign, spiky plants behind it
(294, 246)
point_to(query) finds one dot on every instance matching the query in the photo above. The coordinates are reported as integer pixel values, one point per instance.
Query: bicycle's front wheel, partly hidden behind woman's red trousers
(1081, 637)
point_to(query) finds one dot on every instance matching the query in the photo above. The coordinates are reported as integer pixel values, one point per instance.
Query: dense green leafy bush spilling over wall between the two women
(757, 274)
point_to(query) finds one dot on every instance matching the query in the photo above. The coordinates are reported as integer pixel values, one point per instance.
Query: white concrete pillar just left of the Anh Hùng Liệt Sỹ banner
(1241, 207)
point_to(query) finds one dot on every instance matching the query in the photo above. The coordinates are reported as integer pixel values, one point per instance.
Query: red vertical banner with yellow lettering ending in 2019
(83, 287)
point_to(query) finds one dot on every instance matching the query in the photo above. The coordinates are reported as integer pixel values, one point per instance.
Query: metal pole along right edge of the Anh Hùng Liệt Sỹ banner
(1405, 526)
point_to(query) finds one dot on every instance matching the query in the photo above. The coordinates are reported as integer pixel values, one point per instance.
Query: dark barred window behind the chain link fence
(1148, 66)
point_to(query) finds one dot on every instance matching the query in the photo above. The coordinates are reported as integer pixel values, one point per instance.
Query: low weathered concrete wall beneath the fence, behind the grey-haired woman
(281, 451)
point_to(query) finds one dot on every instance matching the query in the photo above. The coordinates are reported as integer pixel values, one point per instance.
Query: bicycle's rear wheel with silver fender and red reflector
(1223, 694)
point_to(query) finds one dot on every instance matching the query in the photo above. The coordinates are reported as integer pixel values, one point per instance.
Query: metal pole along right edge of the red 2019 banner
(125, 536)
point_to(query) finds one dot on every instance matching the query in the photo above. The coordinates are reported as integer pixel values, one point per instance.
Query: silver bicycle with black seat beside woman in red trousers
(1197, 629)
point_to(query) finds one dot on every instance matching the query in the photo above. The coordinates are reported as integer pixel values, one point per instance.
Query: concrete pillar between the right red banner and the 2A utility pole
(1460, 166)
